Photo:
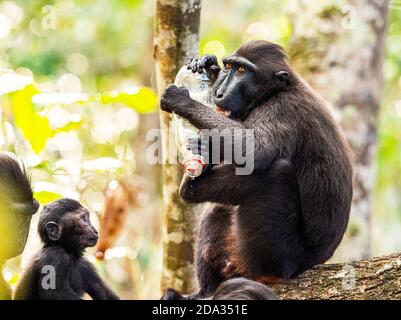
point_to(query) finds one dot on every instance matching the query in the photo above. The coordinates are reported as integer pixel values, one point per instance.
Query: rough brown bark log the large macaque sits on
(378, 278)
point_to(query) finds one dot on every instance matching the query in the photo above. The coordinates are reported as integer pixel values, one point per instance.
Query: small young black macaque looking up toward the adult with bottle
(59, 271)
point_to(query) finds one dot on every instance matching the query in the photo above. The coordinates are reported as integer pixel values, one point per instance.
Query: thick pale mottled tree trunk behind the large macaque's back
(340, 49)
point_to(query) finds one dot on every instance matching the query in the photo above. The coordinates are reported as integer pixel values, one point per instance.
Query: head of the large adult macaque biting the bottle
(249, 76)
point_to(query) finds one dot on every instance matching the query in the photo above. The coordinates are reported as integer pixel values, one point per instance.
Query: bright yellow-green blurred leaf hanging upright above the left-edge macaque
(35, 128)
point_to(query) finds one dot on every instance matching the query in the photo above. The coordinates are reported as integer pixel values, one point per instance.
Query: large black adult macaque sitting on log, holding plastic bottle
(292, 211)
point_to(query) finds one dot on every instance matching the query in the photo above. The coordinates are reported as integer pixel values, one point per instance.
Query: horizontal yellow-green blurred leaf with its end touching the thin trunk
(141, 99)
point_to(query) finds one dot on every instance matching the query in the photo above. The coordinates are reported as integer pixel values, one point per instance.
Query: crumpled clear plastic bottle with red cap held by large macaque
(199, 88)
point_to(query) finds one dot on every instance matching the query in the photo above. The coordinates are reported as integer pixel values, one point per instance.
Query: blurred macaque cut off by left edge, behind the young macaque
(17, 206)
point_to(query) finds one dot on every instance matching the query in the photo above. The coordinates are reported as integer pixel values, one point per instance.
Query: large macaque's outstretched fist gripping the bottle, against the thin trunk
(175, 99)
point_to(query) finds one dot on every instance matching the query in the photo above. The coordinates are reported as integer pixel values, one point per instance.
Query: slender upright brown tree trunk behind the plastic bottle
(176, 39)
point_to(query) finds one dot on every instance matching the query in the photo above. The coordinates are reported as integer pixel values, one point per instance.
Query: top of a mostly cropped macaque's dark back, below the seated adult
(232, 289)
